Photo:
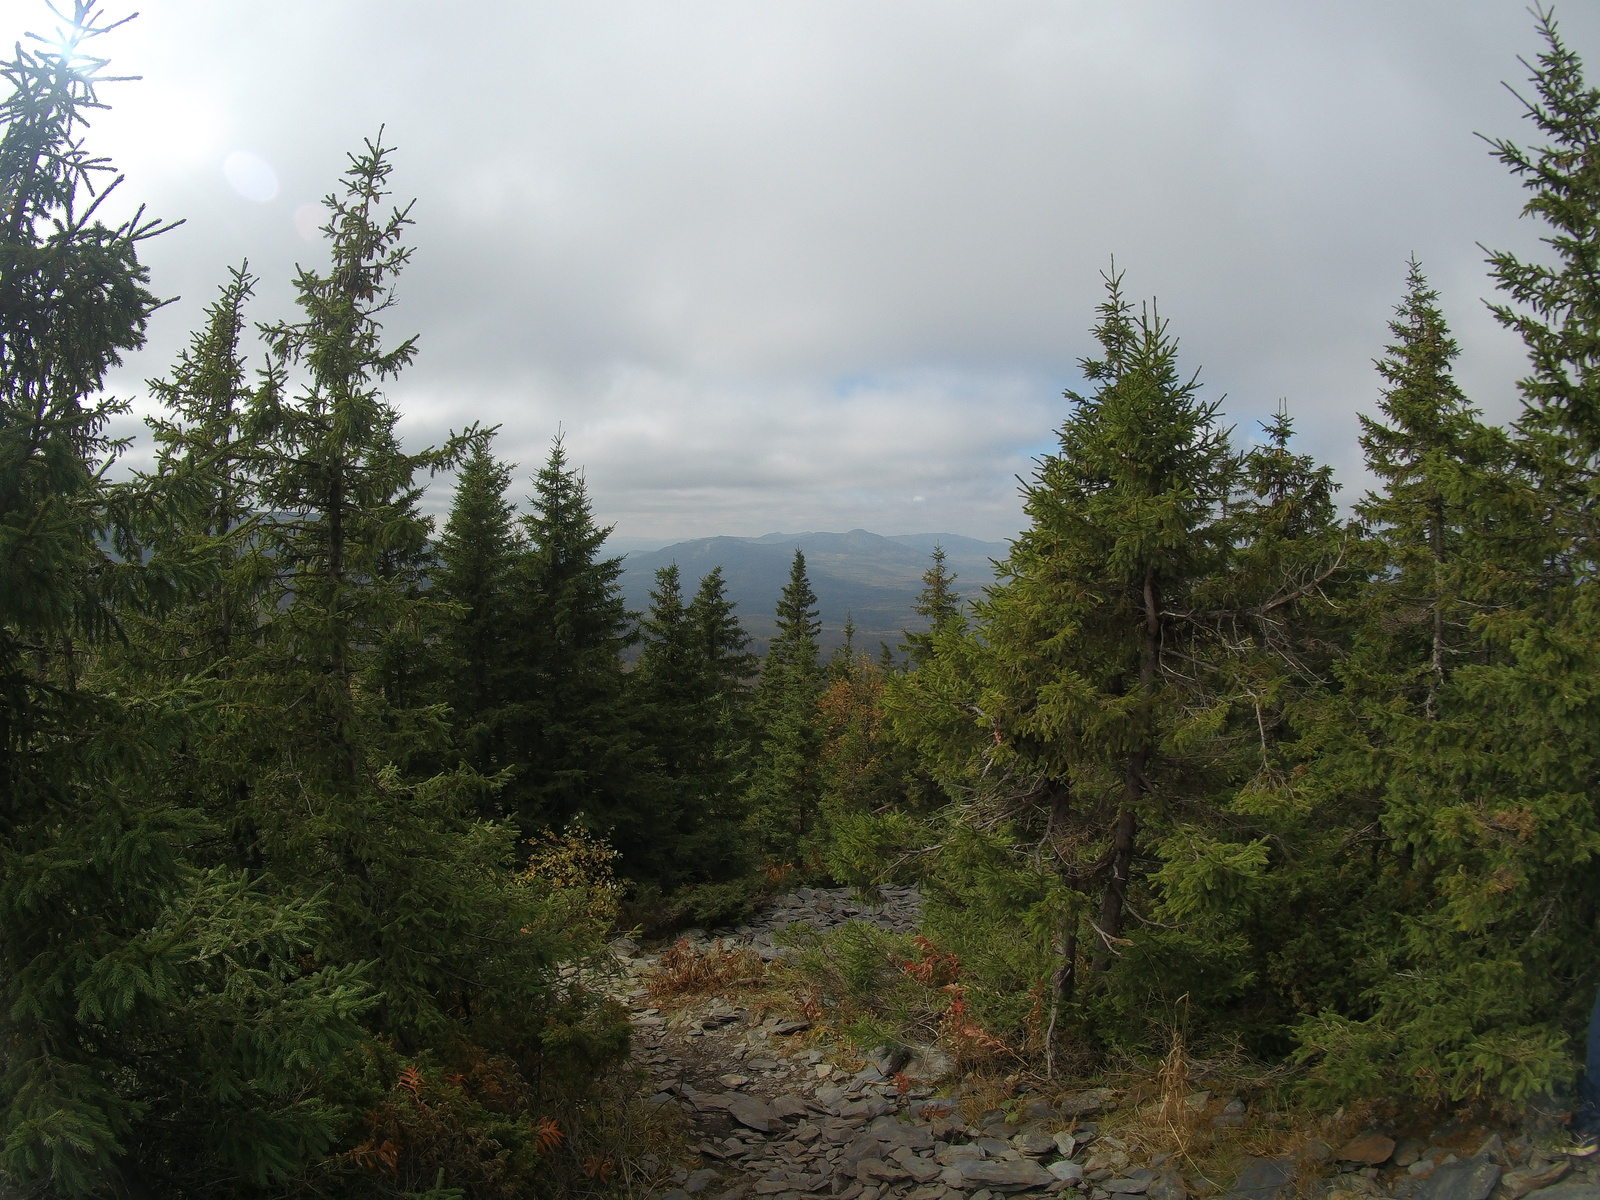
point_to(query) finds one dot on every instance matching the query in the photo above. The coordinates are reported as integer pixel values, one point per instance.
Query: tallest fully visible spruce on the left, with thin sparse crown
(418, 894)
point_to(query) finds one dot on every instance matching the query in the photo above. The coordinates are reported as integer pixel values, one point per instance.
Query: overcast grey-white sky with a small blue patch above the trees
(830, 265)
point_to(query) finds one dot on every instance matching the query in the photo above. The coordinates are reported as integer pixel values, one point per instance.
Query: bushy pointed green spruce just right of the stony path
(1124, 526)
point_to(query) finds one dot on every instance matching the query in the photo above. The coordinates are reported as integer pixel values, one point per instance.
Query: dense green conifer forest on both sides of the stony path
(322, 818)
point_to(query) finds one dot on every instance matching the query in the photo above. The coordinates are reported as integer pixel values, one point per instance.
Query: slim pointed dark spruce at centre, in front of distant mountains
(785, 780)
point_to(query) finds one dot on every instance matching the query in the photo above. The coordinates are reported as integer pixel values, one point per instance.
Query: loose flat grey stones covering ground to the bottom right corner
(772, 1116)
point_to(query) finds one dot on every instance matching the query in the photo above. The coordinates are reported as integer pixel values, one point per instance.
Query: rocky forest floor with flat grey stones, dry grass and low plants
(772, 1105)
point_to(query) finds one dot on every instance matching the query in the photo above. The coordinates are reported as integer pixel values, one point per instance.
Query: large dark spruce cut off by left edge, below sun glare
(158, 1022)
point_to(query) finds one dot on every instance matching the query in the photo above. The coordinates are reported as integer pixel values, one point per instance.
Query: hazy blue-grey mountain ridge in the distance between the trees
(868, 577)
